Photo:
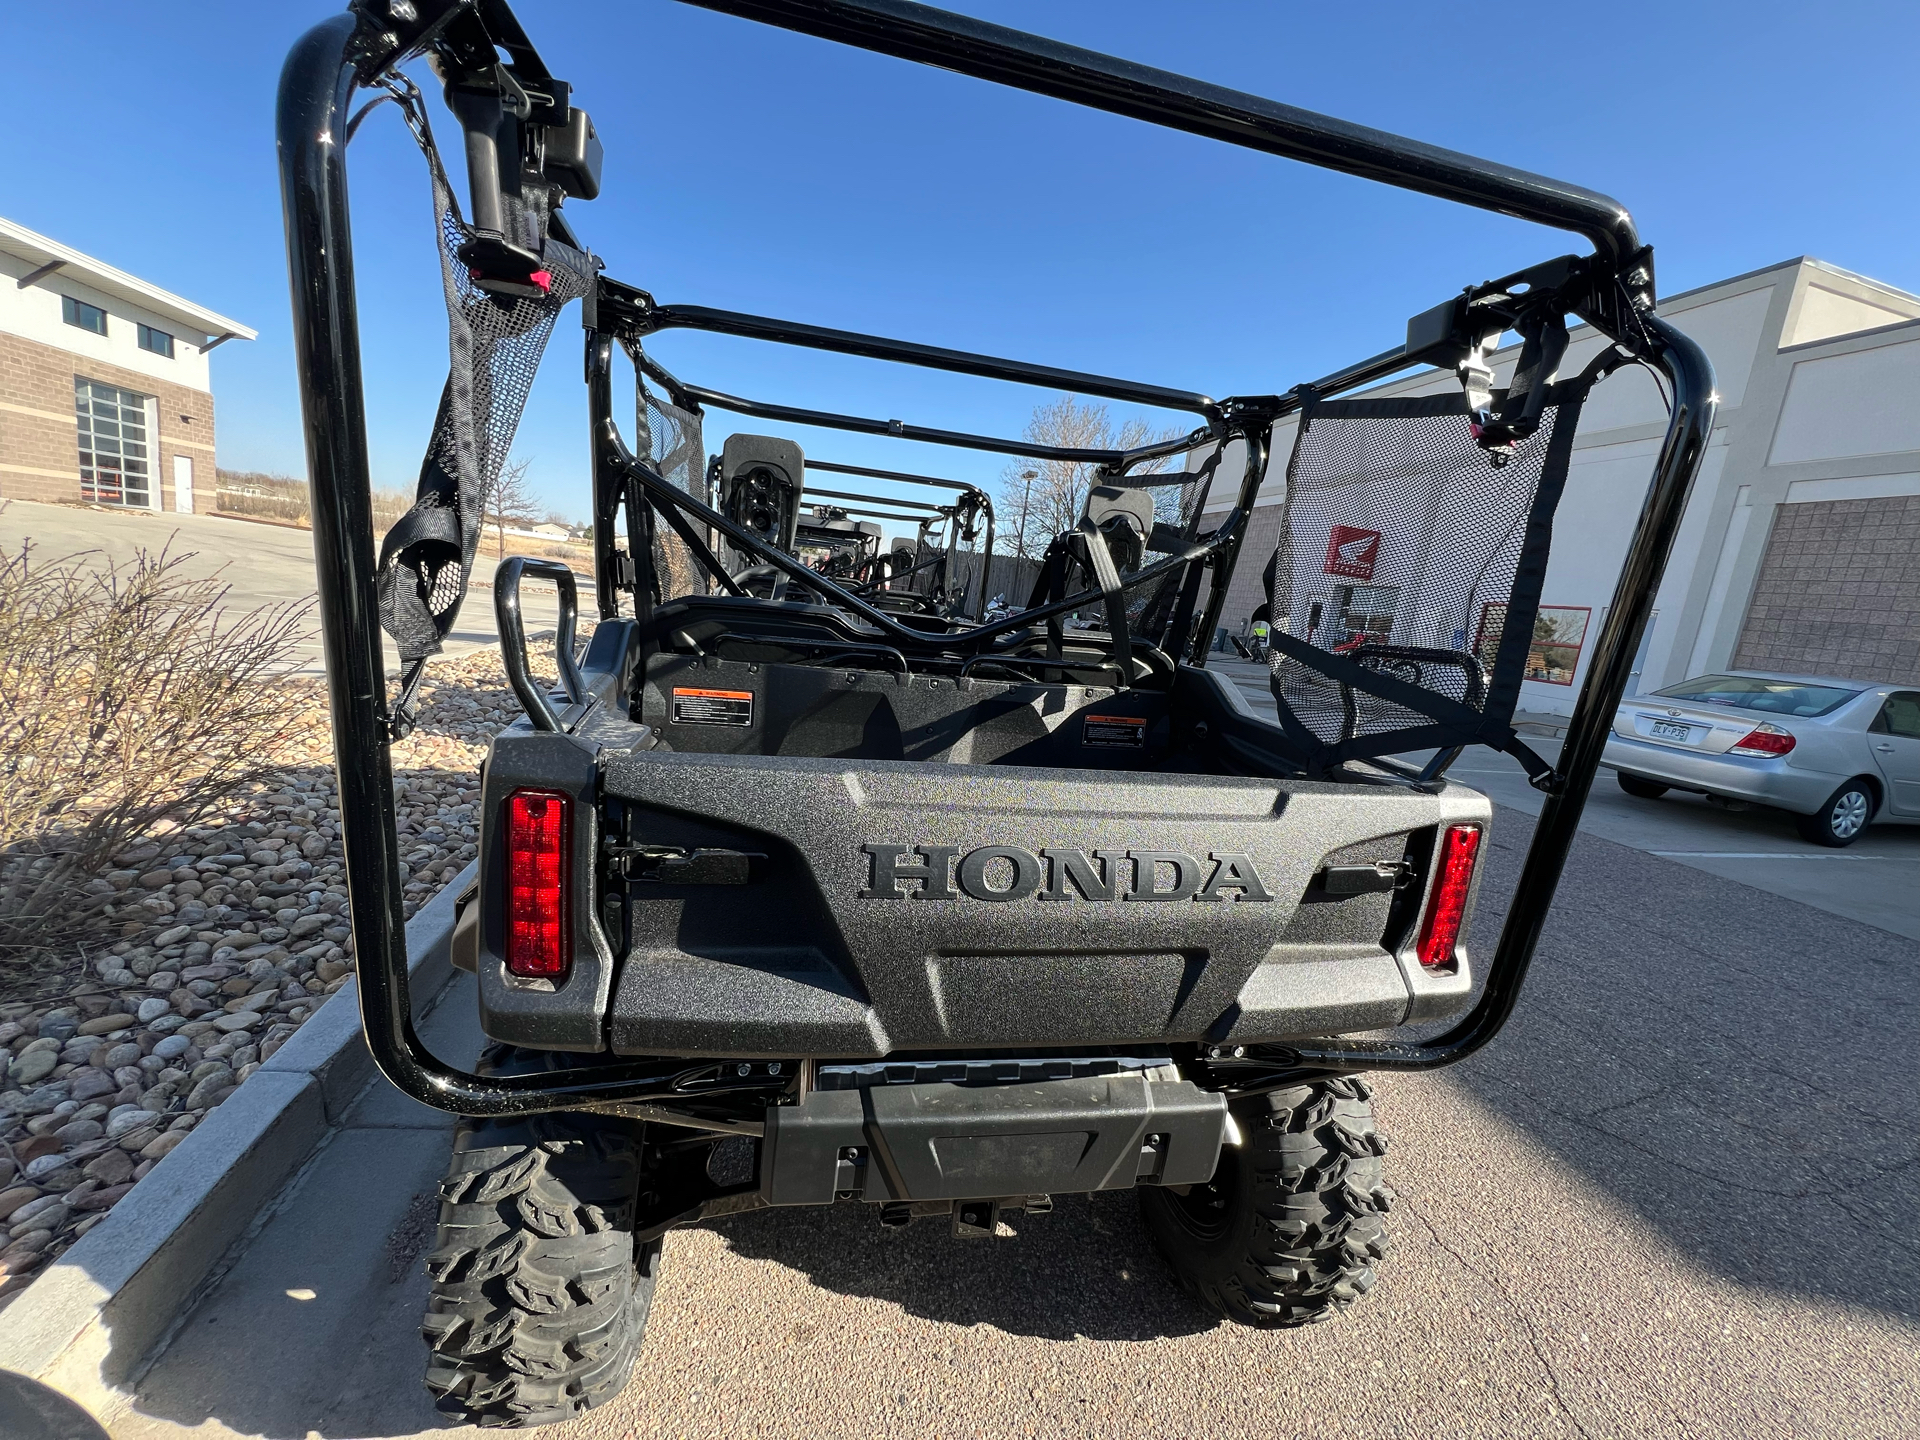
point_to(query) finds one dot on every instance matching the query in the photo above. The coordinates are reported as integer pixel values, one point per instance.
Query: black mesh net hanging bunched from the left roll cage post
(494, 347)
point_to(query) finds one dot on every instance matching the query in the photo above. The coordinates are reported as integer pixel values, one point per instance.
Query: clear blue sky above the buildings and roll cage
(767, 172)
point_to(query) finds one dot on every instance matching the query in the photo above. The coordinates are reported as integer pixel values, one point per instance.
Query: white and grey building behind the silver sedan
(1802, 542)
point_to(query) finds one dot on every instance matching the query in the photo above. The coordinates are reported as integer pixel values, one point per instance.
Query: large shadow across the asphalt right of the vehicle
(1729, 1065)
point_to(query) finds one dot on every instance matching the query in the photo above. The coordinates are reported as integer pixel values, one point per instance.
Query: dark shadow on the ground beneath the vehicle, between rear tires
(1086, 1270)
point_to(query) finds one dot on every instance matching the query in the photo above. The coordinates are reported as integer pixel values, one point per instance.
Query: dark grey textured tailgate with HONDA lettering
(944, 907)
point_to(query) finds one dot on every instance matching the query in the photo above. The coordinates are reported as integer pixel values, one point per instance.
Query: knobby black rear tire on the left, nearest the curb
(539, 1297)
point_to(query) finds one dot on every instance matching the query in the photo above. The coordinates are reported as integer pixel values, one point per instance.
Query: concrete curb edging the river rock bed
(89, 1324)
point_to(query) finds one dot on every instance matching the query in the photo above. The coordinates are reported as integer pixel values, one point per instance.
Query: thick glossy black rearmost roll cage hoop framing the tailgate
(318, 85)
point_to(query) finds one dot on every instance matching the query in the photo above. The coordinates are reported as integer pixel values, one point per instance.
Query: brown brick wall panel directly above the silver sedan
(1838, 592)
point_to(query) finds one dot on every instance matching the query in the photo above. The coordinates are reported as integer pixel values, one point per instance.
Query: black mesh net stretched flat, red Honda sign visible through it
(1408, 575)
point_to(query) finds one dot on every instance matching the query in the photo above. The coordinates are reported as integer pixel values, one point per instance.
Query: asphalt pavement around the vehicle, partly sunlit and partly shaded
(1675, 1199)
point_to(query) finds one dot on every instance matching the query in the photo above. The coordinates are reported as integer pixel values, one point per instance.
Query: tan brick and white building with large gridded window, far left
(105, 383)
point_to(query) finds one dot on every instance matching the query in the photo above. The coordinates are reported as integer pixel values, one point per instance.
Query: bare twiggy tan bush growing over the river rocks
(128, 700)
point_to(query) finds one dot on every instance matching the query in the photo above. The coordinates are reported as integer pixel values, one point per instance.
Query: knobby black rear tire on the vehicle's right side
(1291, 1226)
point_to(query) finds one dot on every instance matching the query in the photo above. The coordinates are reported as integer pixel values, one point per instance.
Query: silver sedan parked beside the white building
(1836, 754)
